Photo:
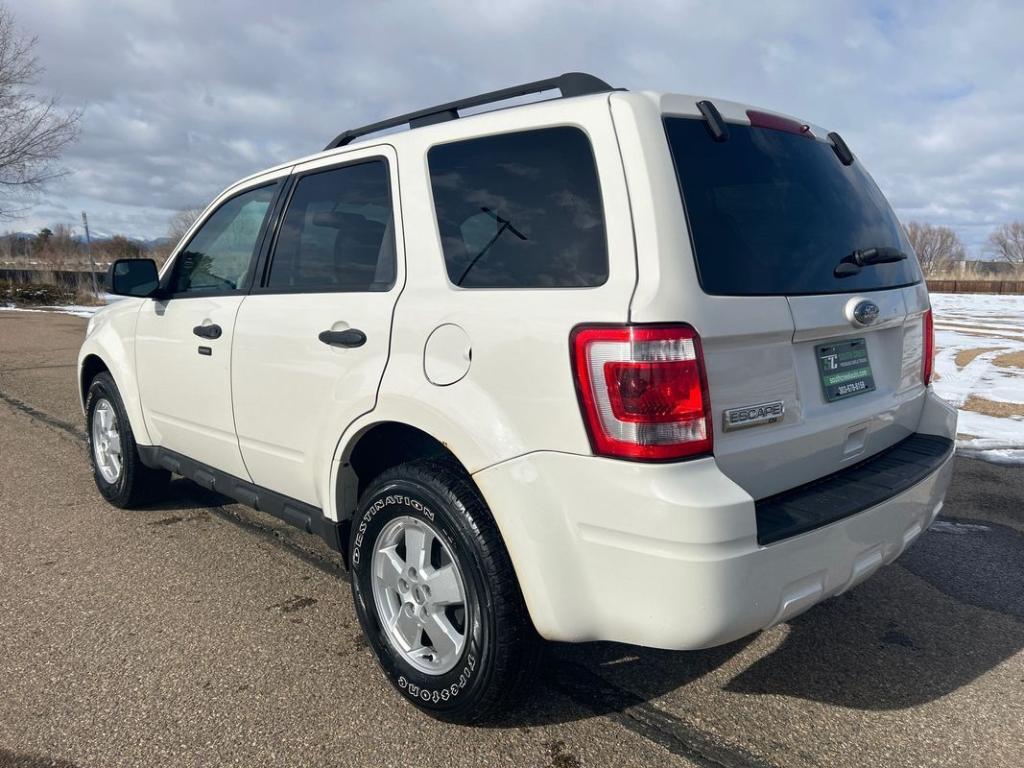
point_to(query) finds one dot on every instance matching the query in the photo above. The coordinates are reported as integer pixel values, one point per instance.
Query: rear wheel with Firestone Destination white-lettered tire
(500, 647)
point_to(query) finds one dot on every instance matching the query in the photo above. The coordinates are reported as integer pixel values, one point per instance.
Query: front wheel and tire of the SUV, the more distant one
(130, 484)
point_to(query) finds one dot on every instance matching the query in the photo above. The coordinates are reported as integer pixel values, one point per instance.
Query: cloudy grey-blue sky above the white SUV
(183, 98)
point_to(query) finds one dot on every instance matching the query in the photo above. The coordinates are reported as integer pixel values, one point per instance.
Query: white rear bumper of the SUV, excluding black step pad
(667, 556)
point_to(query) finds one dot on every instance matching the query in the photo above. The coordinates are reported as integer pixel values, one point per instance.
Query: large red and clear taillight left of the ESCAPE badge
(643, 391)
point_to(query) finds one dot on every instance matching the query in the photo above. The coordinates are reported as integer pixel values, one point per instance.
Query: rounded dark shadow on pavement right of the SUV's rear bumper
(897, 643)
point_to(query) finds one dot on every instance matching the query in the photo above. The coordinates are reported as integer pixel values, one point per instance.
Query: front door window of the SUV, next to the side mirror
(219, 257)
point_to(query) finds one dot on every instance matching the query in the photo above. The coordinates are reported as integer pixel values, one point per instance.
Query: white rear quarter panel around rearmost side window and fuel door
(519, 395)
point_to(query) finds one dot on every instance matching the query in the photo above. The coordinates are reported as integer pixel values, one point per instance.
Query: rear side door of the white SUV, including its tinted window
(312, 343)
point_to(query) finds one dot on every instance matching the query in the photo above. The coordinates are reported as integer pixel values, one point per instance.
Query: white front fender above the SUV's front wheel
(111, 338)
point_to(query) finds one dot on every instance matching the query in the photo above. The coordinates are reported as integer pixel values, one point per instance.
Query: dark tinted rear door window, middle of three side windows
(337, 234)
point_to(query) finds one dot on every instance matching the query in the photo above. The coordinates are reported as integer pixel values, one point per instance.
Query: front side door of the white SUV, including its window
(184, 337)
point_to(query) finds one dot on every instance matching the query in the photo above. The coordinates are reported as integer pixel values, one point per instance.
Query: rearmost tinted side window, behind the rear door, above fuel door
(521, 210)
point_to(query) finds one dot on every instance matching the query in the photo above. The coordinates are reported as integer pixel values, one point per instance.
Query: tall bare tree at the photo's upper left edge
(33, 130)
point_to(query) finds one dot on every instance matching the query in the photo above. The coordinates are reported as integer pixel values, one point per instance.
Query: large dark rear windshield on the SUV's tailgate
(774, 214)
